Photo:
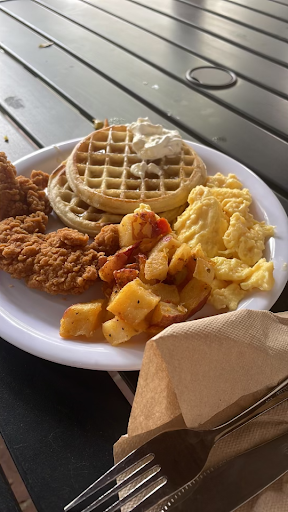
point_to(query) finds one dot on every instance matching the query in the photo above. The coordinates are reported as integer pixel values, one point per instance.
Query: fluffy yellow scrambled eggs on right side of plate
(218, 224)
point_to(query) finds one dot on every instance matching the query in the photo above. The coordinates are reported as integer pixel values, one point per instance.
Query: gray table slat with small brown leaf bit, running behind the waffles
(87, 90)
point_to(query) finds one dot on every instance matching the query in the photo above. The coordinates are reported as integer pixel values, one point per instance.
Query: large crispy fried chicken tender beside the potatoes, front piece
(60, 262)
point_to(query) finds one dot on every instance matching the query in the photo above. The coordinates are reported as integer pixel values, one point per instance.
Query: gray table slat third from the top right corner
(224, 29)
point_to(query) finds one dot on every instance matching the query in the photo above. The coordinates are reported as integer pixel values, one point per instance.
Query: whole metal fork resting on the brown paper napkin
(168, 461)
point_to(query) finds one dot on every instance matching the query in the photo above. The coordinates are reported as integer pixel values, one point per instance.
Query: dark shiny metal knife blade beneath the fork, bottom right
(234, 482)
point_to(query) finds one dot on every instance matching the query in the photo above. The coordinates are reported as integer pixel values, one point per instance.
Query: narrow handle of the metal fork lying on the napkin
(266, 403)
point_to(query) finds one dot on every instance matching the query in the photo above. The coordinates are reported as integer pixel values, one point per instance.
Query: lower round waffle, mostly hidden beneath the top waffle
(77, 214)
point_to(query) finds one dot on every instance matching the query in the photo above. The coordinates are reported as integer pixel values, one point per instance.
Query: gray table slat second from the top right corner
(237, 13)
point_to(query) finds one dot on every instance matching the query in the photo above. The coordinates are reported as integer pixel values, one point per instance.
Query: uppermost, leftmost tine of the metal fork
(117, 470)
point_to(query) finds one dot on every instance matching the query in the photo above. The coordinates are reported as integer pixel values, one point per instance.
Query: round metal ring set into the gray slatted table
(211, 77)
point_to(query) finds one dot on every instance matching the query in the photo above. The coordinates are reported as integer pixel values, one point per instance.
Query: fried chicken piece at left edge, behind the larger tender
(20, 195)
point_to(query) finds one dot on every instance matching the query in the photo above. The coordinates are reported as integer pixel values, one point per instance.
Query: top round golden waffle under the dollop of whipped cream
(98, 170)
